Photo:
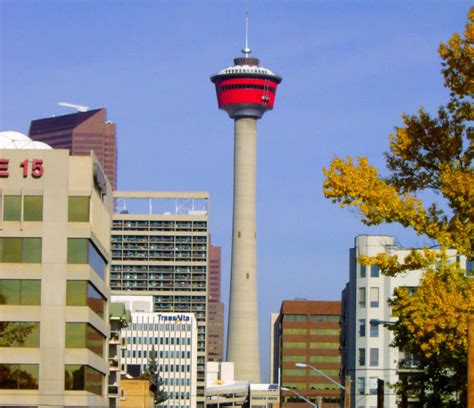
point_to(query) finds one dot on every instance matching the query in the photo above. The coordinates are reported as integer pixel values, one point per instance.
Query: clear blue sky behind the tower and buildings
(349, 68)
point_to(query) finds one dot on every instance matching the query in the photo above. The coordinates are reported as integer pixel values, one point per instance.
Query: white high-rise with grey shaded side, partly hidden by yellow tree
(365, 348)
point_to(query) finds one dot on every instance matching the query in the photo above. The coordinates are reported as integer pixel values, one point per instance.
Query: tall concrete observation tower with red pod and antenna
(245, 91)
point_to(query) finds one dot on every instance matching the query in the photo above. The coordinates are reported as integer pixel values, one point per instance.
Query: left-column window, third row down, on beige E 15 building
(20, 292)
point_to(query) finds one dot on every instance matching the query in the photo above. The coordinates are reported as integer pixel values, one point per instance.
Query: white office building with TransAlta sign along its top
(173, 336)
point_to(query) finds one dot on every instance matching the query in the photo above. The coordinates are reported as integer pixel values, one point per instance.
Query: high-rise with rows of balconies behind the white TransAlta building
(160, 248)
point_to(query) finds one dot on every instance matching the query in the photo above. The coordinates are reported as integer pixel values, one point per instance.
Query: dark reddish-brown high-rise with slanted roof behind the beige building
(80, 133)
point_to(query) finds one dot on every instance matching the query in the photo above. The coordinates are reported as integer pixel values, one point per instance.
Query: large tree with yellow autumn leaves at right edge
(427, 154)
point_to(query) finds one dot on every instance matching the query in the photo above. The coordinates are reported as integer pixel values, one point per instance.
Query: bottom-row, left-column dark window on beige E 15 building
(19, 376)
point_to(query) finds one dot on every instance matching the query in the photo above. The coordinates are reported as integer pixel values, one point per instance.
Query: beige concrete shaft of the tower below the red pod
(242, 336)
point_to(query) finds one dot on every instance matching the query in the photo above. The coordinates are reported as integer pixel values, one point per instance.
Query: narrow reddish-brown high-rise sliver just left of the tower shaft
(215, 321)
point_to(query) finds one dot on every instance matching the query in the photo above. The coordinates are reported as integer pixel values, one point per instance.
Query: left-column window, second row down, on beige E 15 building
(20, 250)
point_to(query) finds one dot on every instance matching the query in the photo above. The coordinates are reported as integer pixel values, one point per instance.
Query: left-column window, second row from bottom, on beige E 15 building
(19, 334)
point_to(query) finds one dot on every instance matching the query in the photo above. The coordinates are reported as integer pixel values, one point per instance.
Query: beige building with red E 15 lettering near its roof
(55, 217)
